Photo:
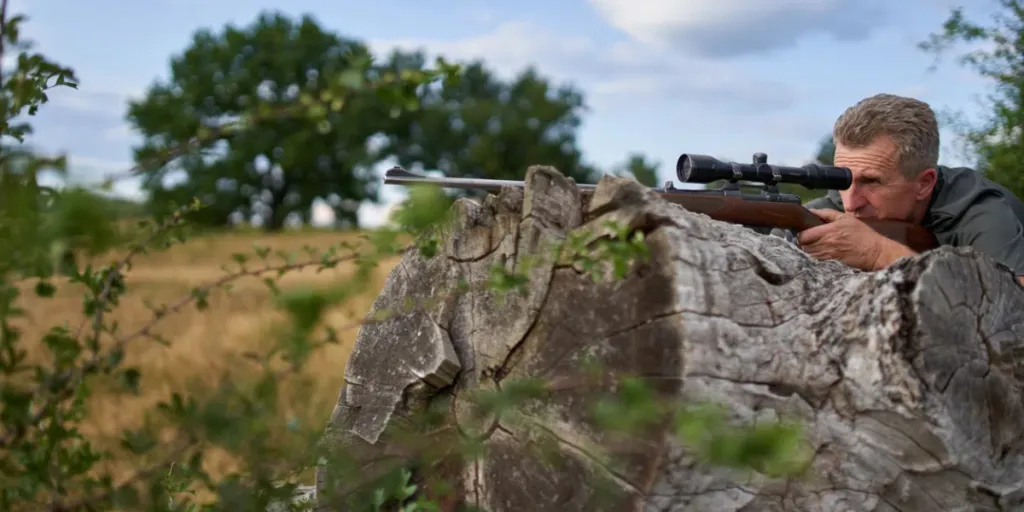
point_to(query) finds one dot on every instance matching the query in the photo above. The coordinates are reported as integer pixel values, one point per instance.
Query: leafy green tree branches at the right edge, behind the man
(997, 143)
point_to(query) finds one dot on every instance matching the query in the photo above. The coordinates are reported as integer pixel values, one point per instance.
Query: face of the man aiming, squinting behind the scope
(880, 190)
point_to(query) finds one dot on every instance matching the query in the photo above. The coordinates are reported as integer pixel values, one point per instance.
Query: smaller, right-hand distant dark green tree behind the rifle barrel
(488, 129)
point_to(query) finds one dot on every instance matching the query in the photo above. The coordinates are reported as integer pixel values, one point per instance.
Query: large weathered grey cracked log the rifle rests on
(908, 379)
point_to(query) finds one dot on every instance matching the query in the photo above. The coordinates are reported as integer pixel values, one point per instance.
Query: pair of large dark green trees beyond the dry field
(260, 149)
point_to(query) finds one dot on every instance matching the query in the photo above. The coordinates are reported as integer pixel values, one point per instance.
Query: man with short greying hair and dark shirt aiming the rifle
(891, 145)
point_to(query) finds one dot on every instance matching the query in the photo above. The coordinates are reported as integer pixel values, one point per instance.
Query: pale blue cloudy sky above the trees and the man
(661, 77)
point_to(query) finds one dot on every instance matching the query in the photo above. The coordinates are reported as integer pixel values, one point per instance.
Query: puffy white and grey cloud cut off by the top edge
(731, 28)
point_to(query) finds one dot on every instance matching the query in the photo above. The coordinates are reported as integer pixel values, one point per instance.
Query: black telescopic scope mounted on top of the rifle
(705, 169)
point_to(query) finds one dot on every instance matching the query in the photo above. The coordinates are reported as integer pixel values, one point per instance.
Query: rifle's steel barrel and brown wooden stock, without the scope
(763, 210)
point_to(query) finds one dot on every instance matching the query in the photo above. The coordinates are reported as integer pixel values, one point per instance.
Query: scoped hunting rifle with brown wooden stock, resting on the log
(767, 208)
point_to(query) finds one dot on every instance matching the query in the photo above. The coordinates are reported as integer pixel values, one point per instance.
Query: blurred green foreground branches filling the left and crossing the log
(49, 461)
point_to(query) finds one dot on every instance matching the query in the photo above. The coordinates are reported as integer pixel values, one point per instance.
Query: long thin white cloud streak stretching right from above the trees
(631, 71)
